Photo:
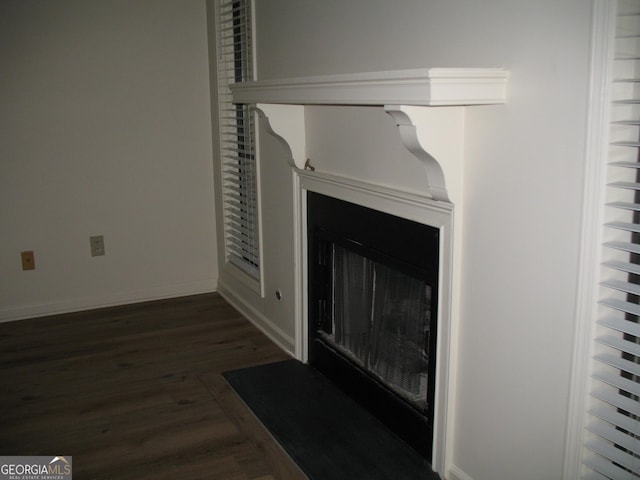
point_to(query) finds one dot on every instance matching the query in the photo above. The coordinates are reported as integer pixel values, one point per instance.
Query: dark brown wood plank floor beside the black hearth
(135, 392)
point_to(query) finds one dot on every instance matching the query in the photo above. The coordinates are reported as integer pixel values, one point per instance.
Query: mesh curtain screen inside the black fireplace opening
(381, 319)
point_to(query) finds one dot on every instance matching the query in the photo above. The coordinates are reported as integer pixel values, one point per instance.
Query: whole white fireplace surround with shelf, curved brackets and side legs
(428, 108)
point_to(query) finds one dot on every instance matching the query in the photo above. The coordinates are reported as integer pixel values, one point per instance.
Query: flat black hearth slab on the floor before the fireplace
(323, 430)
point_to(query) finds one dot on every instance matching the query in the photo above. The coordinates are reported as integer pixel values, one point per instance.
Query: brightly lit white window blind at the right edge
(613, 440)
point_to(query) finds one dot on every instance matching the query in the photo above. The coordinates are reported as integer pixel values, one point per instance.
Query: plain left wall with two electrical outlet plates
(104, 129)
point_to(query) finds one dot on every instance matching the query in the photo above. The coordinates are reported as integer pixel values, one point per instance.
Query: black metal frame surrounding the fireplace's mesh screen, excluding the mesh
(405, 246)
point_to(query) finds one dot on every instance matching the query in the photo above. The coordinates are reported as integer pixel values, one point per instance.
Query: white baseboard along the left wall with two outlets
(21, 312)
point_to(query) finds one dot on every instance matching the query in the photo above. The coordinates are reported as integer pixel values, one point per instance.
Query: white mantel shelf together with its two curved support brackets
(416, 99)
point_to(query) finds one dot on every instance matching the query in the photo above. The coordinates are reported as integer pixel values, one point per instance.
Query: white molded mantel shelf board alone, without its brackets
(420, 87)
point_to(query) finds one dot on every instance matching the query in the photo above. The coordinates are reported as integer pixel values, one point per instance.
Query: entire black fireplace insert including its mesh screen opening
(373, 299)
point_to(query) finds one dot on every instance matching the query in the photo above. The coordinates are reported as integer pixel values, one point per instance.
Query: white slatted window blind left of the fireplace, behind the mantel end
(237, 151)
